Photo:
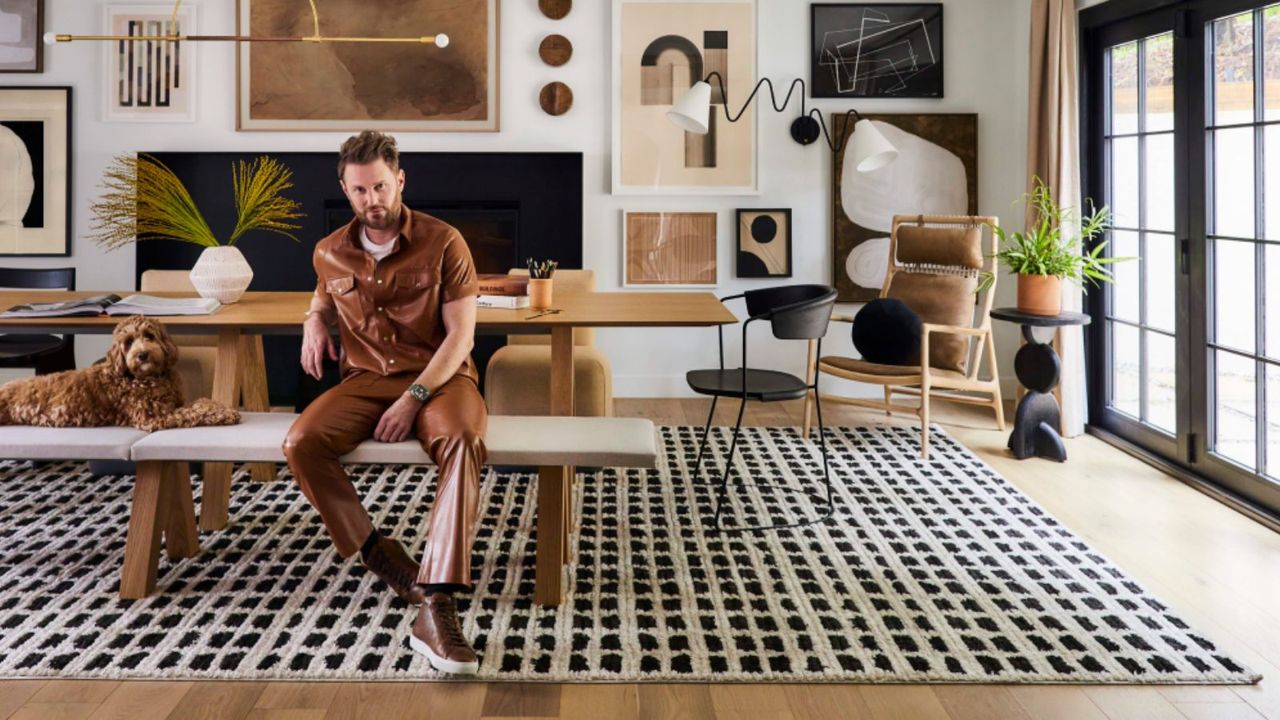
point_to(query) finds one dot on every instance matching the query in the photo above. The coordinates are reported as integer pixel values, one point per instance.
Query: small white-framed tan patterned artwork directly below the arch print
(675, 250)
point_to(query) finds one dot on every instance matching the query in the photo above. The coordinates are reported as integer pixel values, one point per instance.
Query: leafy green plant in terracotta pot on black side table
(1045, 256)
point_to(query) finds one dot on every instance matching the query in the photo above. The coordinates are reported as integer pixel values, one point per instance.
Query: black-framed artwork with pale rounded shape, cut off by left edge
(35, 165)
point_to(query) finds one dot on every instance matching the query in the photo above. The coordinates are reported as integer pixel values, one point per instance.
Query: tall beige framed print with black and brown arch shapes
(660, 51)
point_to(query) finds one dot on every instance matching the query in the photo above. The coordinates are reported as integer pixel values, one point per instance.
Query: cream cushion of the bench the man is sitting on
(610, 443)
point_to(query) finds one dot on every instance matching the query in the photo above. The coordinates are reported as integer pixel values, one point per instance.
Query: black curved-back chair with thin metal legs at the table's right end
(798, 312)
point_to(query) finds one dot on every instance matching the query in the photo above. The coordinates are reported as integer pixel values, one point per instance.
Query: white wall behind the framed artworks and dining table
(986, 48)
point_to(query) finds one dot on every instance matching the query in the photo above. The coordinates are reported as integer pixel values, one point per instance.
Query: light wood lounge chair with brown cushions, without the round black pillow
(934, 267)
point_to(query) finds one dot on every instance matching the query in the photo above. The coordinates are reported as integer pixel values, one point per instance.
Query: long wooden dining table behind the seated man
(240, 373)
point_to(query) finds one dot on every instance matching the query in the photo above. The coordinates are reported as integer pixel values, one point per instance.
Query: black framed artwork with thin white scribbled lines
(876, 51)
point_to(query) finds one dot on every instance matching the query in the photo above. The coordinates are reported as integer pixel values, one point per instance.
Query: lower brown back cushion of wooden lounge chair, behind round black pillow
(944, 300)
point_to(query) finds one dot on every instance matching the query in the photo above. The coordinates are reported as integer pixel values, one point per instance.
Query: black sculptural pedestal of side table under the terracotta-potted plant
(1039, 423)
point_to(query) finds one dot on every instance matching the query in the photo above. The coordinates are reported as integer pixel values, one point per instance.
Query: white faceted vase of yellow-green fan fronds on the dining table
(144, 199)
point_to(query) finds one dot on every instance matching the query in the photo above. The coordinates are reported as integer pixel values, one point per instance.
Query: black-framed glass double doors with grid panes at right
(1183, 143)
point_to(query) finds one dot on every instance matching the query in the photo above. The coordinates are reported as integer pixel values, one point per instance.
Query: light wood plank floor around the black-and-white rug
(1215, 567)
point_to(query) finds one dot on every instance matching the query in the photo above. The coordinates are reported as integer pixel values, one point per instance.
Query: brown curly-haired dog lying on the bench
(135, 386)
